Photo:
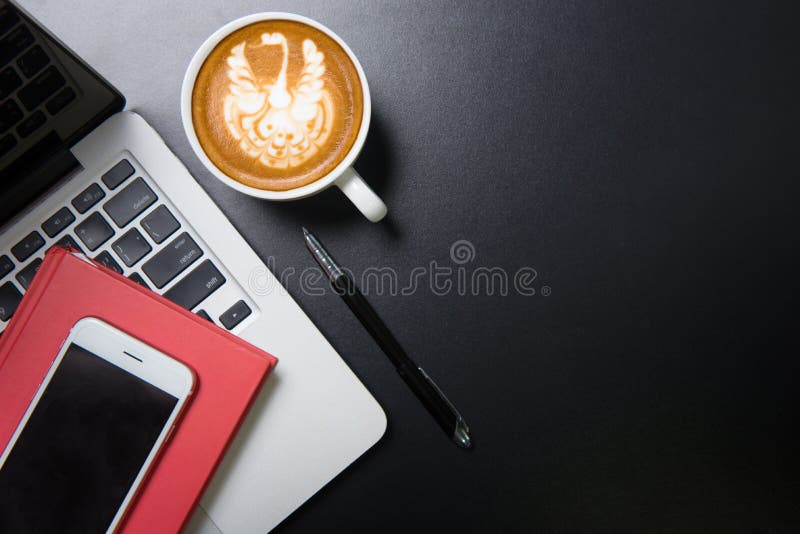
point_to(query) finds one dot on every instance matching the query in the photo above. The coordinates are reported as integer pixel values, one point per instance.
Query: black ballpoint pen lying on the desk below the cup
(420, 383)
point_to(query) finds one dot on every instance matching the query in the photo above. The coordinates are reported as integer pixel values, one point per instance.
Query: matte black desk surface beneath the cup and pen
(641, 157)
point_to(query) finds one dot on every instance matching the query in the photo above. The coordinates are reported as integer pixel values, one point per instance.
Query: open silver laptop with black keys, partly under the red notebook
(78, 170)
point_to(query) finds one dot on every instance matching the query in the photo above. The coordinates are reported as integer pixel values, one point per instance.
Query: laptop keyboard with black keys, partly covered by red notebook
(124, 222)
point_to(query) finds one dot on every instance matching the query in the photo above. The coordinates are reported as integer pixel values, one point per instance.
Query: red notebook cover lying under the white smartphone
(229, 373)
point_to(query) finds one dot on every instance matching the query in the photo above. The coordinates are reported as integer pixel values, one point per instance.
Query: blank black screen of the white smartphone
(82, 447)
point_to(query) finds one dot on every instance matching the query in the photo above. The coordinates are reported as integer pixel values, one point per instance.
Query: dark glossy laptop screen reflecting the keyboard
(49, 100)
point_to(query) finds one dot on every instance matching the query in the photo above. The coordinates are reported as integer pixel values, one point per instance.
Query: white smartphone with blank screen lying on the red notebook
(97, 422)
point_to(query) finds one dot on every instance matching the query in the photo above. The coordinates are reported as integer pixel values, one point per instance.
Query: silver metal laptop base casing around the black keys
(277, 461)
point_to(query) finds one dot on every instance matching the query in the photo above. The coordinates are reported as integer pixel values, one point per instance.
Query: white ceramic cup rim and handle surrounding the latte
(344, 176)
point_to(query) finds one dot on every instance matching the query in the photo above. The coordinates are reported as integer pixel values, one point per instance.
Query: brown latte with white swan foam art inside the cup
(277, 105)
